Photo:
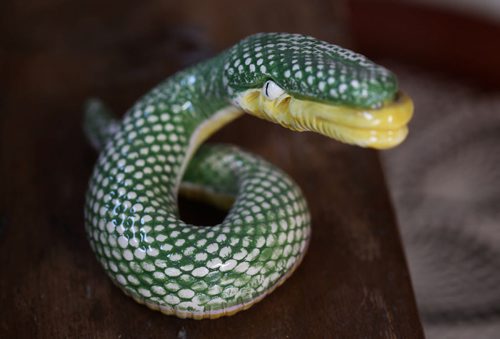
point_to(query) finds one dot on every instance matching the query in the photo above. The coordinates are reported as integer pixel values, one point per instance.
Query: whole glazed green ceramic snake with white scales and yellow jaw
(131, 212)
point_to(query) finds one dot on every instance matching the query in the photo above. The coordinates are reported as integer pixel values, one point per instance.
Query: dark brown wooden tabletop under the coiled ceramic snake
(353, 283)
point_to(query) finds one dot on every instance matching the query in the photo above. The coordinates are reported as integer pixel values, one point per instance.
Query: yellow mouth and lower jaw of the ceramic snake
(379, 128)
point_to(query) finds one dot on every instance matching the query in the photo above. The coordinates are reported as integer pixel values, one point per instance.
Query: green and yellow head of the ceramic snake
(306, 84)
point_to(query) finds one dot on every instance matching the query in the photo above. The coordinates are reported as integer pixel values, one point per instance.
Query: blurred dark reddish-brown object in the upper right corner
(450, 42)
